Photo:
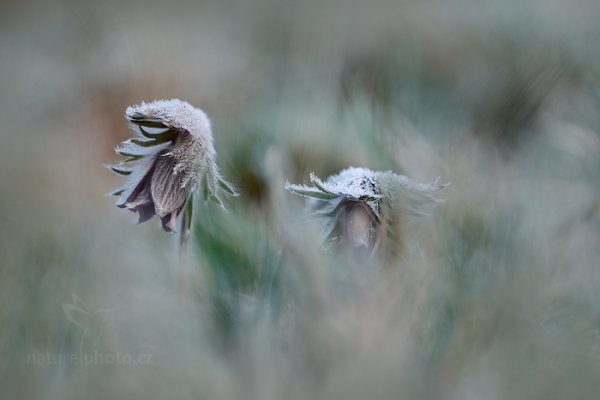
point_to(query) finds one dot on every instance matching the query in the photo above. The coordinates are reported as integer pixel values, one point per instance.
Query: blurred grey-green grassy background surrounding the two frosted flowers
(494, 296)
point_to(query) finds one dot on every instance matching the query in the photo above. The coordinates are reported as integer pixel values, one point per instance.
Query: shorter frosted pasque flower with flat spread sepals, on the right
(357, 205)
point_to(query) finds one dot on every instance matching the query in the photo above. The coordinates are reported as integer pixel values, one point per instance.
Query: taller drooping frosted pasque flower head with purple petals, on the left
(172, 154)
